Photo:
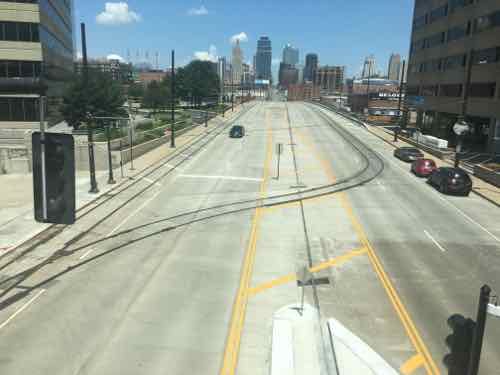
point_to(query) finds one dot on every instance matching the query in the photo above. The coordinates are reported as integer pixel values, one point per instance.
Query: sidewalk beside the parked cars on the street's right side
(480, 187)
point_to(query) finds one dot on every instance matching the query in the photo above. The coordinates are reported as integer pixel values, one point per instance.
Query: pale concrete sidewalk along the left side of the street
(17, 224)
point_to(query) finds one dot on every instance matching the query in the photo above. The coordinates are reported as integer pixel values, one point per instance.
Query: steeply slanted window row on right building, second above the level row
(457, 32)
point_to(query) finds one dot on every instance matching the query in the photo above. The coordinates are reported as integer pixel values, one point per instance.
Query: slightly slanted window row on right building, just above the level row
(485, 56)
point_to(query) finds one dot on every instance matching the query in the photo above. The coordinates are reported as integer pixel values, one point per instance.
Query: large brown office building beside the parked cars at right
(448, 40)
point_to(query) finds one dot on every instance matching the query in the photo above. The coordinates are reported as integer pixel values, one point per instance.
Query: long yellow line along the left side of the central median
(232, 346)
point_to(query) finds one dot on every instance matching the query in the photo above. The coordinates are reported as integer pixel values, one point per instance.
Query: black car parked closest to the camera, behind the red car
(451, 181)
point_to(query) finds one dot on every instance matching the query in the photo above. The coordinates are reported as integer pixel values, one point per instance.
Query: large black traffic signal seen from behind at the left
(59, 178)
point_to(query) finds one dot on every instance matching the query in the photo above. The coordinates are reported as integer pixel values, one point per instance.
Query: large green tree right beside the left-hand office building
(99, 97)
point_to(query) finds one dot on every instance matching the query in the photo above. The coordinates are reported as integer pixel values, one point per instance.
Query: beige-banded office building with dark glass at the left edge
(36, 57)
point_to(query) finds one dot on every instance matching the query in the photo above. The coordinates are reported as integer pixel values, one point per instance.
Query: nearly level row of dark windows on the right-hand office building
(476, 90)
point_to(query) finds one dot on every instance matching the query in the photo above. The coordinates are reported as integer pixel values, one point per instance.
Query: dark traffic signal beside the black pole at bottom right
(460, 344)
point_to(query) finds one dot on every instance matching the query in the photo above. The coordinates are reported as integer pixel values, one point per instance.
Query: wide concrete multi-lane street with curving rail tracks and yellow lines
(184, 270)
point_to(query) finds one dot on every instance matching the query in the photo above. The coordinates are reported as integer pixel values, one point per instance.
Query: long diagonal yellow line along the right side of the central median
(398, 305)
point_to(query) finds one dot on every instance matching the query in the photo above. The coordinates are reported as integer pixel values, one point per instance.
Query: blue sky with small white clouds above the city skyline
(340, 32)
